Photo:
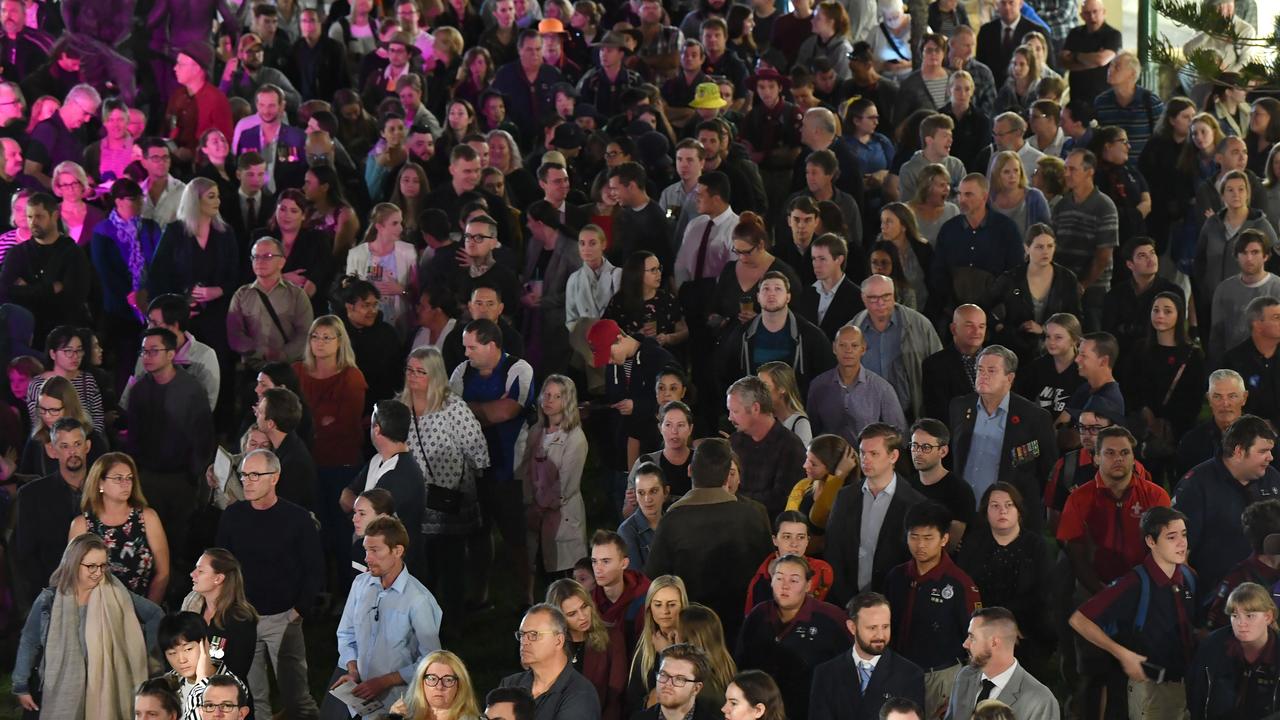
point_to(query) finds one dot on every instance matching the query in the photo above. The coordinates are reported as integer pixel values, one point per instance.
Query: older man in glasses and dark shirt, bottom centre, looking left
(559, 690)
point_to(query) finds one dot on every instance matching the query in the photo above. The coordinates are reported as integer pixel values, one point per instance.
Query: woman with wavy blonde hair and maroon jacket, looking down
(600, 649)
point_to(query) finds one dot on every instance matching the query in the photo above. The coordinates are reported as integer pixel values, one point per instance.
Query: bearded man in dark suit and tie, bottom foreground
(856, 686)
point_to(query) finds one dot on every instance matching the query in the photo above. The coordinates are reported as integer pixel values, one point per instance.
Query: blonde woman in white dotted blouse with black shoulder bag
(451, 450)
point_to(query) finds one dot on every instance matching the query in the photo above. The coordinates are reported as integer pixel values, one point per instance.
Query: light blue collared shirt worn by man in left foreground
(388, 630)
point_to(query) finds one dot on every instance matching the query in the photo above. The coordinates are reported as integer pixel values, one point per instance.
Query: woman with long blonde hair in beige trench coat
(555, 457)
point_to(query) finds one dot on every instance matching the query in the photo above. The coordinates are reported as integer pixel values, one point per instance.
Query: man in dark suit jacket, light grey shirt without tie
(890, 496)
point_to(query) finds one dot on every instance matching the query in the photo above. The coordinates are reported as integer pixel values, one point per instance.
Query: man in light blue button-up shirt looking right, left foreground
(391, 622)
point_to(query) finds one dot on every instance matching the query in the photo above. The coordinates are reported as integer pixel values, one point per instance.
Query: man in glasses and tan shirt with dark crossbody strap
(269, 318)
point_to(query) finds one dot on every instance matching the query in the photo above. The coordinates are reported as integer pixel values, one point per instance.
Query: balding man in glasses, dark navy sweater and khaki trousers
(278, 549)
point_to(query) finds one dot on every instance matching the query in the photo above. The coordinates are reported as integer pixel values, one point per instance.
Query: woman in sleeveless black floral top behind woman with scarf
(115, 509)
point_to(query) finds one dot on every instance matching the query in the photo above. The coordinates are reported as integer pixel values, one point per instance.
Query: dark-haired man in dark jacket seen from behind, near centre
(711, 540)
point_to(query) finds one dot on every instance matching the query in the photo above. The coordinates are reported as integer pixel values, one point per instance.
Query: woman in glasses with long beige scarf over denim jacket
(94, 635)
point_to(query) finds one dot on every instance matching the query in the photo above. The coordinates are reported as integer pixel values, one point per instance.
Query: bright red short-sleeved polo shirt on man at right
(1113, 526)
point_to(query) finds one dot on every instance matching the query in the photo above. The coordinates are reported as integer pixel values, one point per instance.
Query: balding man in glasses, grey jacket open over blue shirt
(898, 341)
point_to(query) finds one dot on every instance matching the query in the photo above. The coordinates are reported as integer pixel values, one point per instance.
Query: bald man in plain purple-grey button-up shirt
(849, 398)
